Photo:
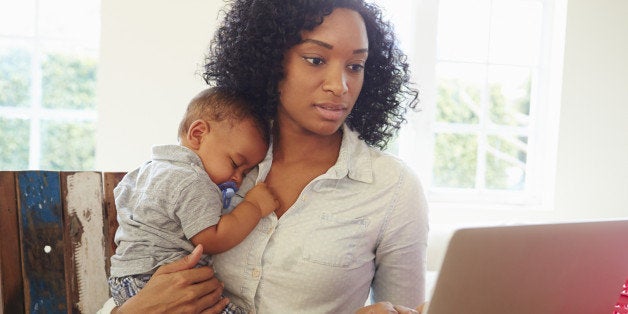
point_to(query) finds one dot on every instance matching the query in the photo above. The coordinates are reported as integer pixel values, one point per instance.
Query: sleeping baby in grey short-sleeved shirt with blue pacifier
(173, 202)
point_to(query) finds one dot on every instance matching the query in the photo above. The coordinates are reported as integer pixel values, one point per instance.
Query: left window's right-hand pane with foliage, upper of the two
(68, 82)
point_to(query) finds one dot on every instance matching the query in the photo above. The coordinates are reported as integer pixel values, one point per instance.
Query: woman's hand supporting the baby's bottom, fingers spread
(179, 287)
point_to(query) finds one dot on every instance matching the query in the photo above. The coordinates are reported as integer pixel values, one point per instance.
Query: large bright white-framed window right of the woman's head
(489, 76)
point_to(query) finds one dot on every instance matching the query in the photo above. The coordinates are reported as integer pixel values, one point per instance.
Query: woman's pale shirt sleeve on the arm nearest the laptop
(400, 259)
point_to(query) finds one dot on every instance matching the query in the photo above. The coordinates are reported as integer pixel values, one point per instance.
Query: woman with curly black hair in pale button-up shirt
(351, 218)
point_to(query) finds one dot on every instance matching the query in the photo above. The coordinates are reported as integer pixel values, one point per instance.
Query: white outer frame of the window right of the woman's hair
(416, 140)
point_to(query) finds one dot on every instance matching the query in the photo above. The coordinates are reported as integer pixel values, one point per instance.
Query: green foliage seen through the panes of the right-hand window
(456, 154)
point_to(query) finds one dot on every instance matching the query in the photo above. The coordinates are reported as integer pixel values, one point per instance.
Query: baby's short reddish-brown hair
(218, 104)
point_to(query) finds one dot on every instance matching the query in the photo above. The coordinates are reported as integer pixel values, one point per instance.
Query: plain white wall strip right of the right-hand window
(592, 168)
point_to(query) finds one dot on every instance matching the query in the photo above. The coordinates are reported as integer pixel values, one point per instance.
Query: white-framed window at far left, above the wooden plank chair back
(48, 64)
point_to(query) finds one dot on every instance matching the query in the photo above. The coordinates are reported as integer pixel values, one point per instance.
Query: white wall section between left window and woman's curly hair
(151, 58)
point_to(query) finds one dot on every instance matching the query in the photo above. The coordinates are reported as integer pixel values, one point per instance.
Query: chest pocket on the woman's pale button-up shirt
(335, 241)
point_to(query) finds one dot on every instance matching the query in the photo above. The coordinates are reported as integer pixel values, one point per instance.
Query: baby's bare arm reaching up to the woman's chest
(236, 225)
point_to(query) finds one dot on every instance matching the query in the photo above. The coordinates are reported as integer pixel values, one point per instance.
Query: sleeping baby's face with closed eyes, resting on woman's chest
(231, 149)
